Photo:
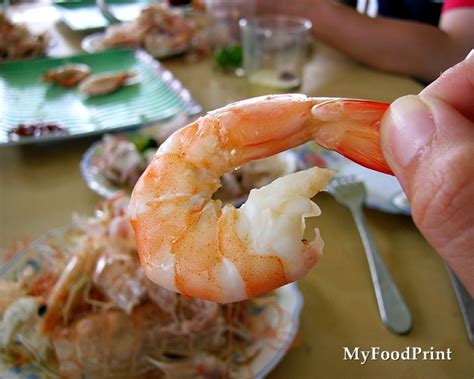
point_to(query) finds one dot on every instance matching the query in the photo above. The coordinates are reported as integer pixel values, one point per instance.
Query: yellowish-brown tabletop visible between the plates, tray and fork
(41, 187)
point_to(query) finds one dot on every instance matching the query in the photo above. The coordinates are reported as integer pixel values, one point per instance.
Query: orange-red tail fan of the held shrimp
(352, 128)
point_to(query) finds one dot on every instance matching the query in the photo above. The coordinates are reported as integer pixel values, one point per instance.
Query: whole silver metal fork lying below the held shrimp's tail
(350, 192)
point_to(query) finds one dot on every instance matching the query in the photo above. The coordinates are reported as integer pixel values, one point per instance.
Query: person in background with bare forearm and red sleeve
(419, 38)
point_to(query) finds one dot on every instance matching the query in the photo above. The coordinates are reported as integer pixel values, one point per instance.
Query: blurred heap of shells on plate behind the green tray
(158, 29)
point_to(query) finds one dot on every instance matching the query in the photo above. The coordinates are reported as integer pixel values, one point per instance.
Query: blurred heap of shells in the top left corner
(17, 42)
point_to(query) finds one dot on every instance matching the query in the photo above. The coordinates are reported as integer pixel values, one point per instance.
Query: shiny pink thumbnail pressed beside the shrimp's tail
(408, 127)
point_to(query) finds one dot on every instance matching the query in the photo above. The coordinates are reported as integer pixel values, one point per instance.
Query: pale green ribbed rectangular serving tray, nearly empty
(24, 98)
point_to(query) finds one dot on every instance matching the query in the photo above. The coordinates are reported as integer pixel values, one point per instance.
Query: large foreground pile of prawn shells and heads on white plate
(90, 312)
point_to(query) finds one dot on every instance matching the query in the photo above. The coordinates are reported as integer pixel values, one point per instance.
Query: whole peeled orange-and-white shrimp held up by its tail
(189, 244)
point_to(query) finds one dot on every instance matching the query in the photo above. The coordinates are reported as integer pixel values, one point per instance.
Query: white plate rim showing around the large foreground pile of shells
(272, 348)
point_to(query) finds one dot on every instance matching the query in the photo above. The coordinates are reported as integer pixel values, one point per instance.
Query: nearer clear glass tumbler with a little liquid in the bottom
(274, 50)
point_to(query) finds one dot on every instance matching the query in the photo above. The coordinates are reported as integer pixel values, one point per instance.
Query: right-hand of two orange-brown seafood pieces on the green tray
(105, 83)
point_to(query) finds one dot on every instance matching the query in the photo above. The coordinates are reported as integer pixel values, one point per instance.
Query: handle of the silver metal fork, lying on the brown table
(393, 309)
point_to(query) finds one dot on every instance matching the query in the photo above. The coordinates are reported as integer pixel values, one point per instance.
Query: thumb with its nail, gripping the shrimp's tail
(430, 147)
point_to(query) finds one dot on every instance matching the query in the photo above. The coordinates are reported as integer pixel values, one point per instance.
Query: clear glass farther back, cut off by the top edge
(225, 16)
